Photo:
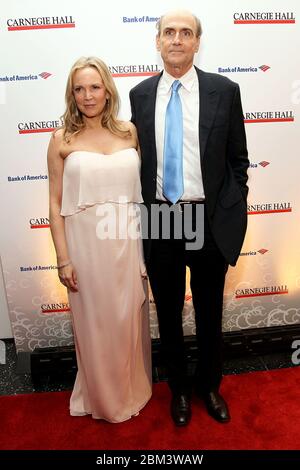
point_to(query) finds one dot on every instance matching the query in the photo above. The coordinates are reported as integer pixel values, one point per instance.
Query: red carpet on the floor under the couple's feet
(265, 409)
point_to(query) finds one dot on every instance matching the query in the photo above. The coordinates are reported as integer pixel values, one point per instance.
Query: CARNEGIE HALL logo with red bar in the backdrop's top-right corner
(264, 17)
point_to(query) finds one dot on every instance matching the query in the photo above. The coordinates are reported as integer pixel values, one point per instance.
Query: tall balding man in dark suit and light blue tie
(200, 118)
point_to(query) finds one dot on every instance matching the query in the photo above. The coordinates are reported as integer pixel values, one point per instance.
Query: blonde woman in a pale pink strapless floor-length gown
(94, 194)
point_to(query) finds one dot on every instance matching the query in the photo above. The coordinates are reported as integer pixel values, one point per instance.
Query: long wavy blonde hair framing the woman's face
(72, 118)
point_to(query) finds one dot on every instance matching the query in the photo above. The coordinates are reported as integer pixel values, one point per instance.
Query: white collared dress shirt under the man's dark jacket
(189, 95)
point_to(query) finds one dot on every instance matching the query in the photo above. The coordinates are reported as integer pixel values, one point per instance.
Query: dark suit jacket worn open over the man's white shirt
(224, 156)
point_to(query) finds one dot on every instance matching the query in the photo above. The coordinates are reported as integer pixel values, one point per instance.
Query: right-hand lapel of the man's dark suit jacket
(209, 99)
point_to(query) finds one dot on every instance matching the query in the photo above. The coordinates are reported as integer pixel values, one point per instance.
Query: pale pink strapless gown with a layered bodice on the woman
(101, 196)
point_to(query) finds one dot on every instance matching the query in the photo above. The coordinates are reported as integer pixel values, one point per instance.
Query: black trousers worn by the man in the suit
(167, 273)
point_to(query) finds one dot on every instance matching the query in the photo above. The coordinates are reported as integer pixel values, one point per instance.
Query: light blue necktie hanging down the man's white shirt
(173, 146)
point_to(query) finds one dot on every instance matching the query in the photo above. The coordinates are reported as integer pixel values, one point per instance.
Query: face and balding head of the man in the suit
(178, 42)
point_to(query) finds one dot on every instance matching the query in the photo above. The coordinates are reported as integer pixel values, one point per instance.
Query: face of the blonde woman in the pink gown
(89, 92)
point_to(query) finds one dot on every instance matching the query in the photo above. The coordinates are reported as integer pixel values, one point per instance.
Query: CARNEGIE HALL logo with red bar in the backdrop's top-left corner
(40, 22)
